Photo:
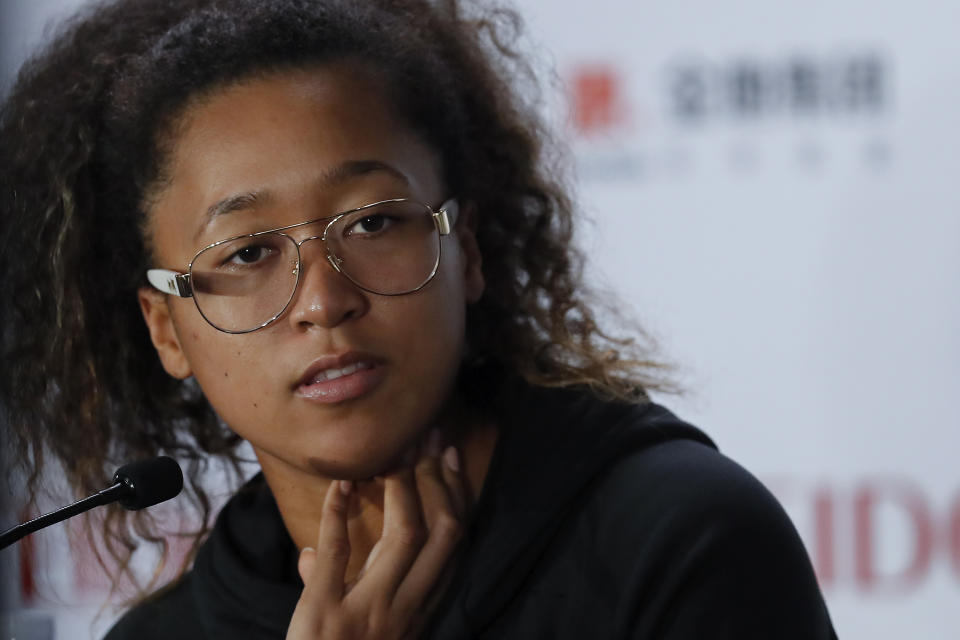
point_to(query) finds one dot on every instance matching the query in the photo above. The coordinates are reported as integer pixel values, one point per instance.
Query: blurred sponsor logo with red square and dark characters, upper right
(742, 113)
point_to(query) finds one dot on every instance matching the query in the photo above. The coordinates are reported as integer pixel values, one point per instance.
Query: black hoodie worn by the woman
(597, 520)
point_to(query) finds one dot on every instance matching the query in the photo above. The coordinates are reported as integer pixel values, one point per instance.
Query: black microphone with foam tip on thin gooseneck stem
(137, 485)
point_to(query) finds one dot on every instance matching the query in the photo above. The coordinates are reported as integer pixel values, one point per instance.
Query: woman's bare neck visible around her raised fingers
(299, 494)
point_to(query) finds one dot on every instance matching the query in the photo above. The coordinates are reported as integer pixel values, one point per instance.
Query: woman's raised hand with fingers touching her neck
(423, 512)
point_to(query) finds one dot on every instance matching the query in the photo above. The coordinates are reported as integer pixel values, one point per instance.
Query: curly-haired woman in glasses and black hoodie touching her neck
(328, 229)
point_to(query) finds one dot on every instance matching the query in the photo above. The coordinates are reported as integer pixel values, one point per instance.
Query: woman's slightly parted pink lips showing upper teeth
(336, 378)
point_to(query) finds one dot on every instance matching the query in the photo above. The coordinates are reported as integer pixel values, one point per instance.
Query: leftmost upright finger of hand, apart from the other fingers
(326, 579)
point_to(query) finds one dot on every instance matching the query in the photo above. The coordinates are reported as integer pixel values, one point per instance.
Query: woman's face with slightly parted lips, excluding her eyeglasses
(294, 147)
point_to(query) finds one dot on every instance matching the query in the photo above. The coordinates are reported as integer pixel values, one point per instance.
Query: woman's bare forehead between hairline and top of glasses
(286, 136)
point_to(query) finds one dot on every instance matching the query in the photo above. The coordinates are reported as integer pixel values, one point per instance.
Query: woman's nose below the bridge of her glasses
(324, 298)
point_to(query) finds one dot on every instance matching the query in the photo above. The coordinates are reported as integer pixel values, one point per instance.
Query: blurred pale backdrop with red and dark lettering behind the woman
(772, 191)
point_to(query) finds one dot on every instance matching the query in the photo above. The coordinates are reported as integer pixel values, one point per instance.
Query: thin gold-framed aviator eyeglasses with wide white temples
(244, 283)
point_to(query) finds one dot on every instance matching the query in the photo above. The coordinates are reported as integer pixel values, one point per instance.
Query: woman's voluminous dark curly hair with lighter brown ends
(86, 131)
